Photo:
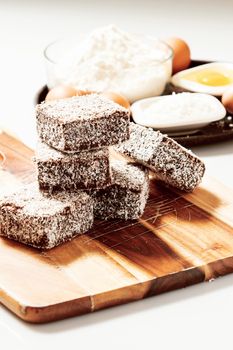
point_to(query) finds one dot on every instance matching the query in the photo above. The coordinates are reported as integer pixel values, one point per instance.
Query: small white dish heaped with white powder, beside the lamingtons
(183, 108)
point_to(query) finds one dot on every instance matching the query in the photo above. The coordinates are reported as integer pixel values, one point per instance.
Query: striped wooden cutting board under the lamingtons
(182, 239)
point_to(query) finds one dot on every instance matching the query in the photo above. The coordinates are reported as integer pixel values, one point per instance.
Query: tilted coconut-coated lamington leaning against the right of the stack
(170, 162)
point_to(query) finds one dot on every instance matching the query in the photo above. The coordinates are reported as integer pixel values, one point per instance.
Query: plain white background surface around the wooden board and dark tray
(197, 317)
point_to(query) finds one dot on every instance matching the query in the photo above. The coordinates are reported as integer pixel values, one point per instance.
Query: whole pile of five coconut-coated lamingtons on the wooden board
(77, 181)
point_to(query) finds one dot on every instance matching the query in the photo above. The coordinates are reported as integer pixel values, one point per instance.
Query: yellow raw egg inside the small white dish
(211, 77)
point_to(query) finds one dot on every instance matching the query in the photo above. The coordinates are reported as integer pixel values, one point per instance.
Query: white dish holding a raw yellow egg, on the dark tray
(212, 78)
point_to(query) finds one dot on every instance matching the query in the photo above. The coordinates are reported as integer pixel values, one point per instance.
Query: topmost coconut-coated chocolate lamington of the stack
(82, 122)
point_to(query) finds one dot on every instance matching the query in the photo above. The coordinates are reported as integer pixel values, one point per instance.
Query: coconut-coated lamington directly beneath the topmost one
(57, 170)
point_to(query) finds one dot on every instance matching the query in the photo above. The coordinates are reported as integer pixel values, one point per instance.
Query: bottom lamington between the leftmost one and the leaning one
(126, 197)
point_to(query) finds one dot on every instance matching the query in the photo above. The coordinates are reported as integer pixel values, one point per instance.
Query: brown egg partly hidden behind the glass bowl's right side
(181, 52)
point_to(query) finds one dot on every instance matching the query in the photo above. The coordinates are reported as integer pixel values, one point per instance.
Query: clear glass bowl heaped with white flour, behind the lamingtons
(136, 66)
